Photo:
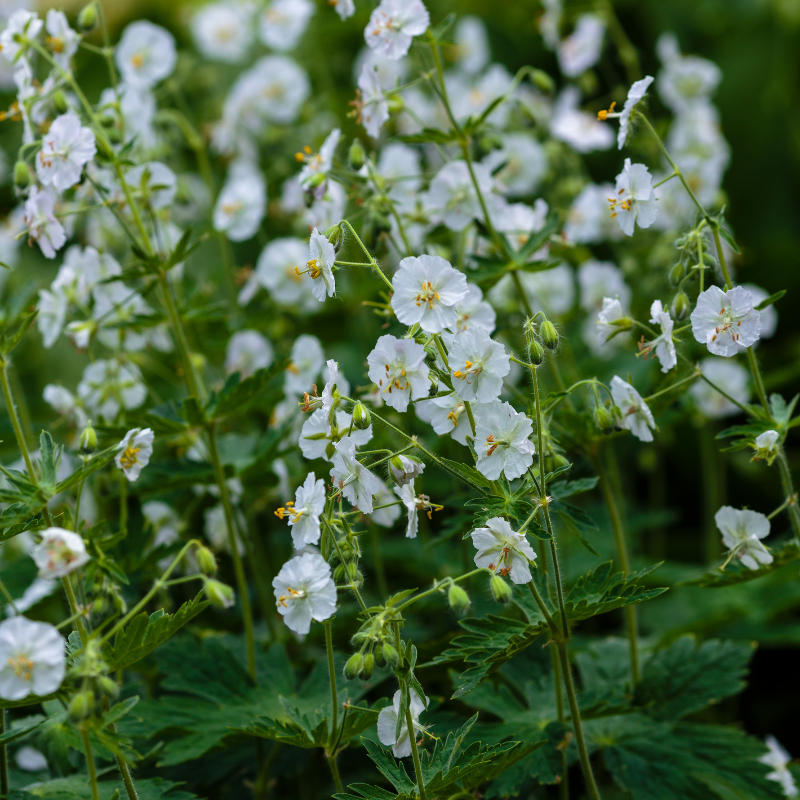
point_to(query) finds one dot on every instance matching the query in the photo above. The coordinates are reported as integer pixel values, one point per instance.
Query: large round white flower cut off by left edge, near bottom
(31, 658)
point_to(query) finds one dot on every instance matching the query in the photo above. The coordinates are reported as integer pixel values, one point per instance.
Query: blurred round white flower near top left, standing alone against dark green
(145, 54)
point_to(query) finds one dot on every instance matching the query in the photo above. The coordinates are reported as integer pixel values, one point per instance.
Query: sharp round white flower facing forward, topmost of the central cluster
(426, 291)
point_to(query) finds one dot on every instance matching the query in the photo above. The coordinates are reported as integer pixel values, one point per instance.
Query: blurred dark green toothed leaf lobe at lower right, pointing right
(686, 676)
